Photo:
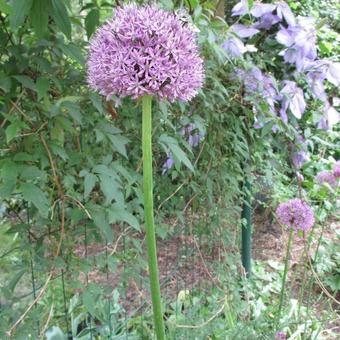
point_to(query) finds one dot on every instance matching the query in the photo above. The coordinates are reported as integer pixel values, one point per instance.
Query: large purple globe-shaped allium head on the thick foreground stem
(145, 50)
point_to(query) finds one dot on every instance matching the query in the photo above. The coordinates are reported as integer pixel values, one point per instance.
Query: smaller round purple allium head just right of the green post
(295, 214)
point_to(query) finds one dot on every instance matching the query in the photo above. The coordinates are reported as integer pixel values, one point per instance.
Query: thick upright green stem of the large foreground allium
(149, 220)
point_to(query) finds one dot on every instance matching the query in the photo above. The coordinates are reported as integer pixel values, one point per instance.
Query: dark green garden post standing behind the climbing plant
(246, 230)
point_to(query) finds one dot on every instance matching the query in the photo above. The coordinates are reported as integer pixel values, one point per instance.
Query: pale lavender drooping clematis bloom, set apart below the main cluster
(292, 98)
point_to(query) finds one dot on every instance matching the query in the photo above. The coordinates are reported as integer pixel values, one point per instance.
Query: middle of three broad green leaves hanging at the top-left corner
(39, 16)
